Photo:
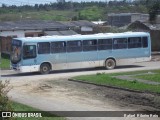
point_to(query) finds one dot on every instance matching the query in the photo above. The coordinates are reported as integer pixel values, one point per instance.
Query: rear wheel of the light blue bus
(110, 64)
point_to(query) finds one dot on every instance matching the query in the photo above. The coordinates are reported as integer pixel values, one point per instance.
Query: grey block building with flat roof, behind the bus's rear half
(123, 19)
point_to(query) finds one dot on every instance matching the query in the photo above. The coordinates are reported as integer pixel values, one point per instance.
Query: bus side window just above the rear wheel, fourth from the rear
(104, 44)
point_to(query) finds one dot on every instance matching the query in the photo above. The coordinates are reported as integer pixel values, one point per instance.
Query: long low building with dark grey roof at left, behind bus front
(31, 28)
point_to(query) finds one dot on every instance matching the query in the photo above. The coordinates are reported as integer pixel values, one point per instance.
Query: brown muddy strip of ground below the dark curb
(121, 98)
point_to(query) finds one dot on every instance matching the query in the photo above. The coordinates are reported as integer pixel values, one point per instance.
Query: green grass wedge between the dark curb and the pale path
(107, 79)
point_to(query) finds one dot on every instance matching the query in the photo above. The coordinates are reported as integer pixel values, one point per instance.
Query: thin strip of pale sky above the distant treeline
(32, 2)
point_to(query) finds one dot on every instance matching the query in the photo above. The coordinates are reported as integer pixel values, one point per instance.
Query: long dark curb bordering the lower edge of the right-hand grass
(114, 87)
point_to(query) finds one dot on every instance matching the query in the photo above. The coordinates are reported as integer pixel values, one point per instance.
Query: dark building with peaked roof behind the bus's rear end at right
(153, 29)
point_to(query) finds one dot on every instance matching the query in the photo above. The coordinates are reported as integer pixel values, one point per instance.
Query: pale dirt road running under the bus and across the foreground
(54, 92)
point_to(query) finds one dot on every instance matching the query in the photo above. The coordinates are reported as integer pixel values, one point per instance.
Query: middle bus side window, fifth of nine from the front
(89, 45)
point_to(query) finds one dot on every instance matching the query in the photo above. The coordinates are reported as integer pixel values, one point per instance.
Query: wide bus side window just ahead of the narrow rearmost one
(134, 42)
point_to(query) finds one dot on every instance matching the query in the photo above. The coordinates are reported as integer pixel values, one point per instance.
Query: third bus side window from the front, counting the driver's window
(58, 47)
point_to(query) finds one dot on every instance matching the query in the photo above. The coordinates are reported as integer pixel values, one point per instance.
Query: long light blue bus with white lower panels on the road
(48, 53)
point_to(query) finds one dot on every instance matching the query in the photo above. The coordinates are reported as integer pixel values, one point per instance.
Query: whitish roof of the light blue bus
(82, 37)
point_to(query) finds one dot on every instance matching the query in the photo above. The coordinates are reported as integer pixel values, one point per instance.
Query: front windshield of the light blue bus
(16, 51)
